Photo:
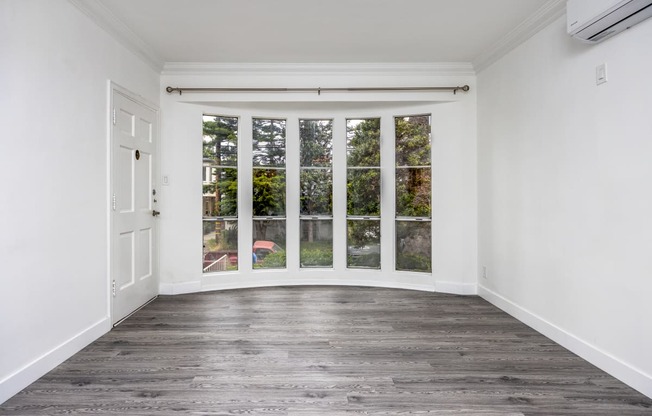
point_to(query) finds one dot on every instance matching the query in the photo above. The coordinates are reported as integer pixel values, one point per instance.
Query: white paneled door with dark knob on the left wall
(134, 274)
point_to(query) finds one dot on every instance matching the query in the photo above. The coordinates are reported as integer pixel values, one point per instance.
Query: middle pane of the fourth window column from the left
(363, 192)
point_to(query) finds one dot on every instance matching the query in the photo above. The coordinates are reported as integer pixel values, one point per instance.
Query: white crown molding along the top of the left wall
(108, 21)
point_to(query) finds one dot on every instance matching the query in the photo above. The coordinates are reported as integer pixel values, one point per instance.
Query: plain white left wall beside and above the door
(54, 75)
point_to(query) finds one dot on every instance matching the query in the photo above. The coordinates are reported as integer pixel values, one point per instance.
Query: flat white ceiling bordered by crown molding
(320, 31)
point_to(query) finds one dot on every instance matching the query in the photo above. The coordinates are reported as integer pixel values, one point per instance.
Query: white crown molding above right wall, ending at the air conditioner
(528, 28)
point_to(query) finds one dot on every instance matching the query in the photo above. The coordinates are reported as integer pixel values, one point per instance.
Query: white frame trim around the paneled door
(113, 88)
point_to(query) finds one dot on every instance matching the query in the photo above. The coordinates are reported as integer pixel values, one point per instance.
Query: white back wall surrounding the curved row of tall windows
(454, 175)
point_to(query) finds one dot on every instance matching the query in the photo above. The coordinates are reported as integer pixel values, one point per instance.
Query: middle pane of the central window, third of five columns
(316, 191)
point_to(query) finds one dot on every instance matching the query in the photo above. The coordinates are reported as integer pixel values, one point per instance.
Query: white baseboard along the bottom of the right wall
(624, 372)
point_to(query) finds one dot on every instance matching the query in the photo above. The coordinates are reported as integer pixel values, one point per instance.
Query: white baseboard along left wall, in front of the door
(14, 383)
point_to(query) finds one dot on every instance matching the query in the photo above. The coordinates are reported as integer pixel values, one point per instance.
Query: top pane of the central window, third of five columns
(316, 142)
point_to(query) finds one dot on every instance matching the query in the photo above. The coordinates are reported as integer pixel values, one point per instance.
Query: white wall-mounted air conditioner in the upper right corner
(595, 20)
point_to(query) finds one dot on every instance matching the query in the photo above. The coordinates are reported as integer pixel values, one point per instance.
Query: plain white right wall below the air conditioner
(565, 195)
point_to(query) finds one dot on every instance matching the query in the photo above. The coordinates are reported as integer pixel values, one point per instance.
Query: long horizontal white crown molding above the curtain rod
(387, 69)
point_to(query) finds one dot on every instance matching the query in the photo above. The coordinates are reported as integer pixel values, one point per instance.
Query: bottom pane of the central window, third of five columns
(316, 243)
